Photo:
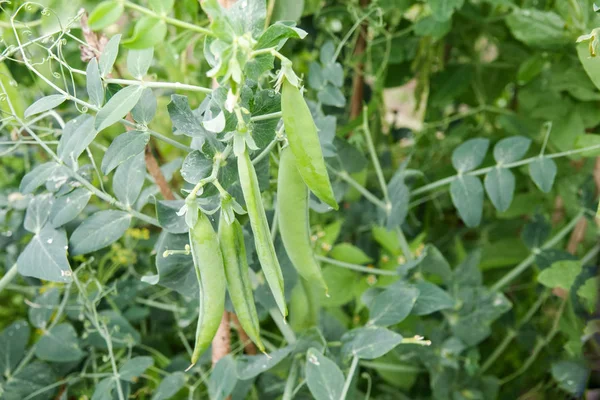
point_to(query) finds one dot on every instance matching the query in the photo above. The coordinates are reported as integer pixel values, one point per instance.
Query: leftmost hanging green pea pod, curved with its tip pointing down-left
(208, 263)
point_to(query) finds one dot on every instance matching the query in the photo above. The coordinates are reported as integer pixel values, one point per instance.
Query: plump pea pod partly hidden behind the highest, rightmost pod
(292, 212)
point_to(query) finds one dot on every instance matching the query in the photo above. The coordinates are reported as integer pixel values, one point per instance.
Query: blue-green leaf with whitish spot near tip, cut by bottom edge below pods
(323, 377)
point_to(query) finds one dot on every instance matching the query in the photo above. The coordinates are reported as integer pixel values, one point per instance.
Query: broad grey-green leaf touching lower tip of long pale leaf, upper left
(77, 135)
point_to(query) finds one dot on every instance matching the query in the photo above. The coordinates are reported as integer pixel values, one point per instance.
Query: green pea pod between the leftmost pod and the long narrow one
(231, 238)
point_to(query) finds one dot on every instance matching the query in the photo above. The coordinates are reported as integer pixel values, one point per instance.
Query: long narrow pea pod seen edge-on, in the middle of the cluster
(260, 228)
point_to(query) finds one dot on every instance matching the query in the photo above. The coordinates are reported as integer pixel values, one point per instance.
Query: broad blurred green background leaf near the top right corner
(538, 28)
